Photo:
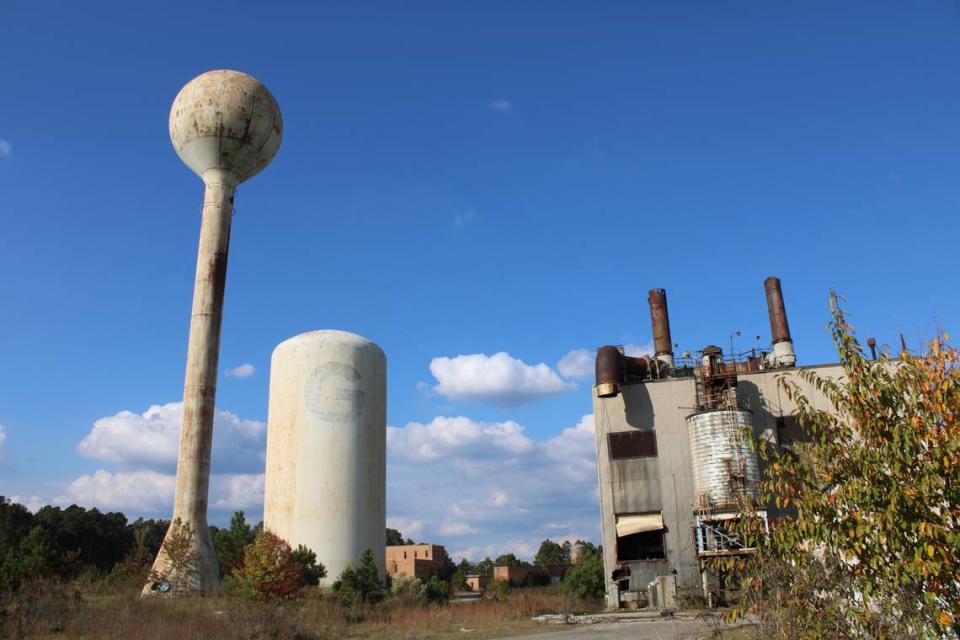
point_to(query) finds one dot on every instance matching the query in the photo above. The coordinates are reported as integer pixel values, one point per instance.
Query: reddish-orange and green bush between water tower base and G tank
(270, 570)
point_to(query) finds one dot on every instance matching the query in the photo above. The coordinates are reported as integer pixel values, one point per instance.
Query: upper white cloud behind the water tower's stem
(151, 440)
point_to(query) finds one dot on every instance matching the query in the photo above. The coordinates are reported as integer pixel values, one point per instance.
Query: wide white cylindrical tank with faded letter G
(326, 447)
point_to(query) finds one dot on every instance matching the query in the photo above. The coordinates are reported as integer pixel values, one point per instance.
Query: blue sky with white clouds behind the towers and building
(485, 189)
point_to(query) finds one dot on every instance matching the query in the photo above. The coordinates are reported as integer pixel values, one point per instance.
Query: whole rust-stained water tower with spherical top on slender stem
(226, 127)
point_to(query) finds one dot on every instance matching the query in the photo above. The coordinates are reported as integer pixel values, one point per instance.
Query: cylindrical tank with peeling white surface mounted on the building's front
(724, 464)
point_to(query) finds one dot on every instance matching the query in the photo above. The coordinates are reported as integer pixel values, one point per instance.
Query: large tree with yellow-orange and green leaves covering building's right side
(874, 547)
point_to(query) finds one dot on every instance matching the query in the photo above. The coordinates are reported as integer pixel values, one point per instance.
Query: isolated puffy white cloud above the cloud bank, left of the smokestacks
(499, 379)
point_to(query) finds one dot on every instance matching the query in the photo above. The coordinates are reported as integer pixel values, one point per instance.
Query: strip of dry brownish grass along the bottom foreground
(90, 611)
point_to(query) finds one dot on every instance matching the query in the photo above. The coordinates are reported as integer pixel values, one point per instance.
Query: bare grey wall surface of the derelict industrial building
(665, 483)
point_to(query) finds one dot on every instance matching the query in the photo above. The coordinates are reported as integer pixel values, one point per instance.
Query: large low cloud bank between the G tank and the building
(490, 487)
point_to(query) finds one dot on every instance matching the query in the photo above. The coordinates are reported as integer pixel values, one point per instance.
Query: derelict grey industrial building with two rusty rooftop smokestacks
(673, 454)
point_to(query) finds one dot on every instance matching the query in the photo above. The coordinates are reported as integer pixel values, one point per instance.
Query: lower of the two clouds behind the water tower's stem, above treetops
(151, 492)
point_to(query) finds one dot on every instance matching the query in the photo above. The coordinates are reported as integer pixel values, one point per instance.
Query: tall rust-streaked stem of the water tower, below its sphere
(200, 387)
